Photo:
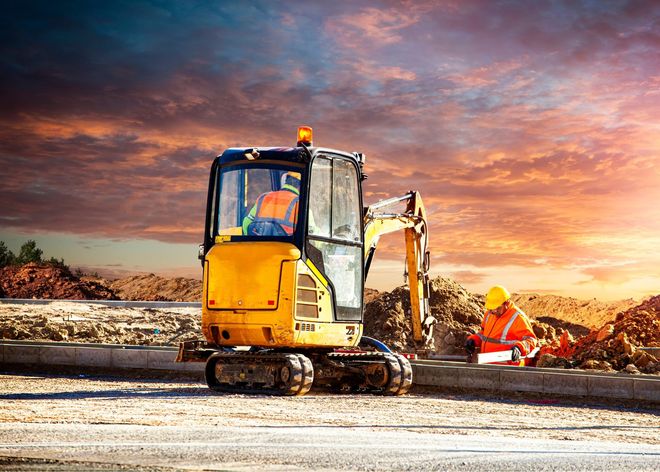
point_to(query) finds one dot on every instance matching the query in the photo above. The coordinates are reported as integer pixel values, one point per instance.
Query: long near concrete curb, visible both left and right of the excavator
(577, 383)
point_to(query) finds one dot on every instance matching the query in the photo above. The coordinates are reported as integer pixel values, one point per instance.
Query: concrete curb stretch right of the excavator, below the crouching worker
(551, 381)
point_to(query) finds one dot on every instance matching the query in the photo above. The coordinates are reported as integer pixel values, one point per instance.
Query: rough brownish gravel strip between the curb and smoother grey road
(188, 404)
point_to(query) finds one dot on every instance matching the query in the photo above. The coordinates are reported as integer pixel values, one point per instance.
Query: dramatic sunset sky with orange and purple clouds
(531, 129)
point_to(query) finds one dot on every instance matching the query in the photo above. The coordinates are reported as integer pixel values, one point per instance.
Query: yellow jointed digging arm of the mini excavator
(413, 221)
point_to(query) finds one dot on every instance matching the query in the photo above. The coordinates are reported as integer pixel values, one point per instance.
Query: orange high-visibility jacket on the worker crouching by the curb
(501, 333)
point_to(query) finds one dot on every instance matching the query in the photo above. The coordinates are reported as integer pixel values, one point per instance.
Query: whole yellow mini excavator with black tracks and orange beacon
(283, 288)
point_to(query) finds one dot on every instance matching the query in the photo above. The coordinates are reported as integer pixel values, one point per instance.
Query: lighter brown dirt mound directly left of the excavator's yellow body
(155, 288)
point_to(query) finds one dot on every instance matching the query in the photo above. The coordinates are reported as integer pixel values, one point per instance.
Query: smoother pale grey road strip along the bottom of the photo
(315, 448)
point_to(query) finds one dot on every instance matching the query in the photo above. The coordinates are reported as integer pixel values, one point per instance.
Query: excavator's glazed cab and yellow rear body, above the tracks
(283, 250)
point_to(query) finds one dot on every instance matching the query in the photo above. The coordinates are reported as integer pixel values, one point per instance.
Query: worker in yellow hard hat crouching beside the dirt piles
(504, 327)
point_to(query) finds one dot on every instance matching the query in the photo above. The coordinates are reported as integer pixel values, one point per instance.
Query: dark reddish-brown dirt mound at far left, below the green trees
(49, 281)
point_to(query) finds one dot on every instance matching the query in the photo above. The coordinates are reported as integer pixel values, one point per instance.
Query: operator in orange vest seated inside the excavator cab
(275, 213)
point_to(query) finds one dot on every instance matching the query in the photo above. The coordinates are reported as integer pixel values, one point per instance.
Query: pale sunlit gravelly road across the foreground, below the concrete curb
(172, 425)
